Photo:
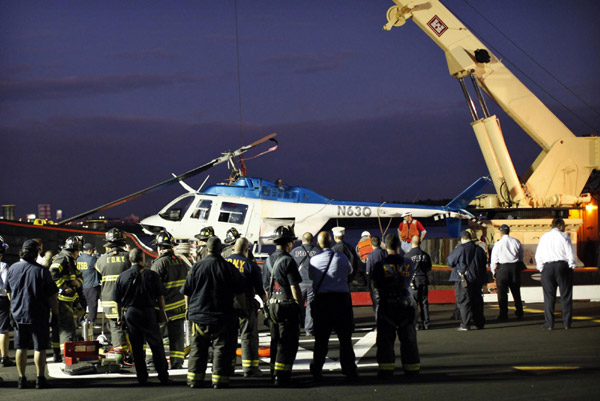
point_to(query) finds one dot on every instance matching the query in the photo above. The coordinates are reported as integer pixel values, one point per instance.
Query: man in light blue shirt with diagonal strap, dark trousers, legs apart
(329, 273)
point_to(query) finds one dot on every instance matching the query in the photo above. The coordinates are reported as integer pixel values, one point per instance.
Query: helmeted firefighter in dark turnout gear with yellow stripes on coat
(172, 271)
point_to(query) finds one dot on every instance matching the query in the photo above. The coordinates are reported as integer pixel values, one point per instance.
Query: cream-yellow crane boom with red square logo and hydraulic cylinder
(559, 173)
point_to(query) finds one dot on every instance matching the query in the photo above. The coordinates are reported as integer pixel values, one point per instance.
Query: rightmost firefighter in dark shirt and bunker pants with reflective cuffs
(396, 311)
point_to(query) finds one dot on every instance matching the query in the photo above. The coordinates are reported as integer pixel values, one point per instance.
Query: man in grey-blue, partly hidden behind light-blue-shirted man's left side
(302, 255)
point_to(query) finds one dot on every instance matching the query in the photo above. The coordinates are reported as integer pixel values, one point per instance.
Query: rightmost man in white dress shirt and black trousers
(556, 260)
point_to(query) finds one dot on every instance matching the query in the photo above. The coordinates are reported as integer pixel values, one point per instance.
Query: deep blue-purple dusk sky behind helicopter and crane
(99, 99)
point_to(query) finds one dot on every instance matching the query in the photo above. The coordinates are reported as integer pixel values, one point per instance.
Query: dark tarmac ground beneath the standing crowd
(514, 360)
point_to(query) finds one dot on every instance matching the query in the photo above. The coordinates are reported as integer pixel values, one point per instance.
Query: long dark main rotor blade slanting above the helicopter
(226, 156)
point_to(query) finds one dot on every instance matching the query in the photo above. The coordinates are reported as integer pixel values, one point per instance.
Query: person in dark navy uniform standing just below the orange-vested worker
(419, 286)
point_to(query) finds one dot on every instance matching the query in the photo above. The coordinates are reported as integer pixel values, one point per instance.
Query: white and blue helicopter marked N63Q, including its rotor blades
(255, 206)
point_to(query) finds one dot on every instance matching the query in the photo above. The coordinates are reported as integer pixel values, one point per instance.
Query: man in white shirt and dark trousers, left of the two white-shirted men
(505, 264)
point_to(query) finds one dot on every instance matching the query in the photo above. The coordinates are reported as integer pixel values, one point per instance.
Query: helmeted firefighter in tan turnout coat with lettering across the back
(110, 265)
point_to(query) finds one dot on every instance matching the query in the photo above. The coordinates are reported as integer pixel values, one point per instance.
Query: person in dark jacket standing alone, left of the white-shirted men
(469, 273)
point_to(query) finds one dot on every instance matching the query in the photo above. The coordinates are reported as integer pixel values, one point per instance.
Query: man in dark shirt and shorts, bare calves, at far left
(32, 293)
